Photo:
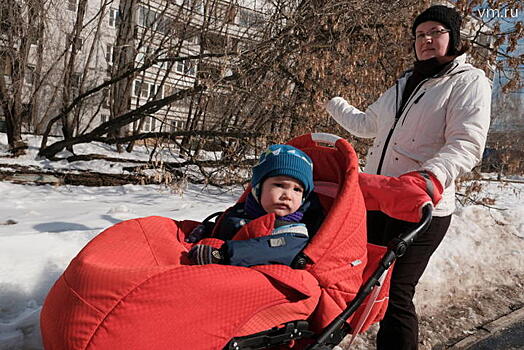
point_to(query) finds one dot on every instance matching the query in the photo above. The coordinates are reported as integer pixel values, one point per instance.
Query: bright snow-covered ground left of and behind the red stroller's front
(54, 223)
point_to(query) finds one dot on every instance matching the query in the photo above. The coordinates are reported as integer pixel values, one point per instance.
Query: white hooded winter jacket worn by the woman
(442, 128)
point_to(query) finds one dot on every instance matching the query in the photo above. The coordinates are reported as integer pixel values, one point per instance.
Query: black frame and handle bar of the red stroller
(335, 332)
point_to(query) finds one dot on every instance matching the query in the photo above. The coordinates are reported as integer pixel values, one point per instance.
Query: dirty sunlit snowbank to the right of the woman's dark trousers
(482, 246)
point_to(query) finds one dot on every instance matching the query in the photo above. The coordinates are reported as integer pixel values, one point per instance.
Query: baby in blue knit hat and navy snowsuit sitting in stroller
(282, 183)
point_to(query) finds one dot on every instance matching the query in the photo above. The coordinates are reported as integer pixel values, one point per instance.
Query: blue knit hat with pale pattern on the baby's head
(283, 160)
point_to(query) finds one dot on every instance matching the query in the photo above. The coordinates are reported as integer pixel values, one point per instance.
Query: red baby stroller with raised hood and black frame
(132, 286)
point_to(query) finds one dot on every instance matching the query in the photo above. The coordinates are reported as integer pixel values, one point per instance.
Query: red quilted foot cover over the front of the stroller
(132, 288)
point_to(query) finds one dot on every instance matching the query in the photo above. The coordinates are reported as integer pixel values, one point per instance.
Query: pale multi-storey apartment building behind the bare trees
(70, 59)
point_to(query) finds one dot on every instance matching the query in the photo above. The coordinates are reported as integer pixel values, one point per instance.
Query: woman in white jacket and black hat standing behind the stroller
(435, 119)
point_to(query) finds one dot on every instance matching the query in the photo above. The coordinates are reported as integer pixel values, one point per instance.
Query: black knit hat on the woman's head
(449, 18)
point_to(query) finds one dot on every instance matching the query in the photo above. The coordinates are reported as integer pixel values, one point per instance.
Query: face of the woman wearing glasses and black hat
(431, 40)
